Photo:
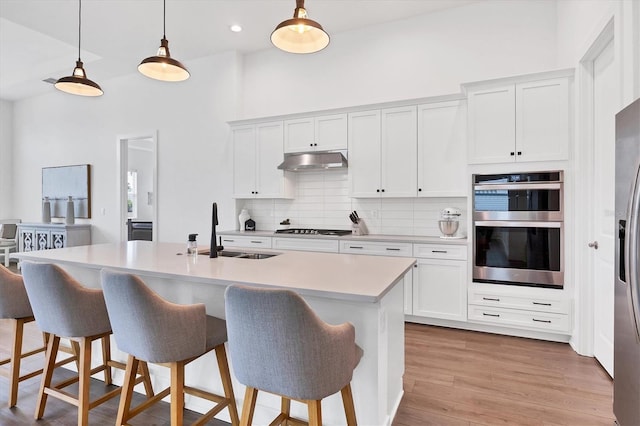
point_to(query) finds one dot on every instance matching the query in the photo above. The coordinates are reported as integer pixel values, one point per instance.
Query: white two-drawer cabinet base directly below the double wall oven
(529, 308)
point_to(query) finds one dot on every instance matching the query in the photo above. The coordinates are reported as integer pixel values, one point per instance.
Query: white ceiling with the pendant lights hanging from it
(39, 38)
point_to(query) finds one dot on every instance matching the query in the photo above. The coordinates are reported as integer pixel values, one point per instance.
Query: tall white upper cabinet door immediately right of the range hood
(364, 153)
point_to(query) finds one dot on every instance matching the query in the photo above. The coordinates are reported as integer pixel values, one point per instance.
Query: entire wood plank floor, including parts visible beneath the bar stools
(452, 377)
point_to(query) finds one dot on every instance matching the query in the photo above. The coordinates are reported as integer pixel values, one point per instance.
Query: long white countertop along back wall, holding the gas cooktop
(394, 238)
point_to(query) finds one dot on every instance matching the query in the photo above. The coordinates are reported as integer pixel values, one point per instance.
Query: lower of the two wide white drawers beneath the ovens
(542, 321)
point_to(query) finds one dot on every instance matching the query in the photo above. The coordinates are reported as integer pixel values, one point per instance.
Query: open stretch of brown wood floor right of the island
(457, 377)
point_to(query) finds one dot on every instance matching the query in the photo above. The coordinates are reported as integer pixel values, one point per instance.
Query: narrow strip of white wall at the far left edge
(6, 160)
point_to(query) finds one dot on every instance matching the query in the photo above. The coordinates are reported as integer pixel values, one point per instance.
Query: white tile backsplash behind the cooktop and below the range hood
(322, 201)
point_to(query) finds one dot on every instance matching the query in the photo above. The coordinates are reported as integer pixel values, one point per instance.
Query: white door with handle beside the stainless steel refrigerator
(601, 90)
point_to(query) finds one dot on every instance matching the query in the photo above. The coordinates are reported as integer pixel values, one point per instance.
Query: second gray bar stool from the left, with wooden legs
(64, 308)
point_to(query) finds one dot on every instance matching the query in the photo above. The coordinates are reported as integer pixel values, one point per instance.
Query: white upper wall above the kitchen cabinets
(423, 56)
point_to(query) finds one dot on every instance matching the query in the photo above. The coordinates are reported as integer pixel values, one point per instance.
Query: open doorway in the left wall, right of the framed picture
(137, 186)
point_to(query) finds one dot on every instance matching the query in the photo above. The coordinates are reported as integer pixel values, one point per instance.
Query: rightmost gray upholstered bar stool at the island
(279, 345)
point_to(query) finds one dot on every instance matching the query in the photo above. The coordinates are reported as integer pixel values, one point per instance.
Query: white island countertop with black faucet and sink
(359, 278)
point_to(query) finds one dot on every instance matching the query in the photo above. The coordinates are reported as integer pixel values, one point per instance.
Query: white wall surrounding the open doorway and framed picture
(193, 153)
